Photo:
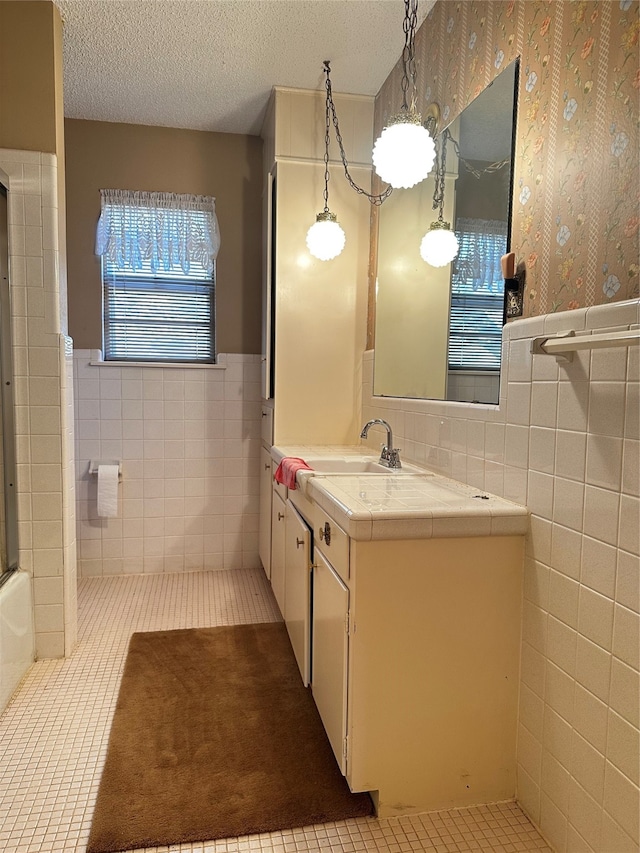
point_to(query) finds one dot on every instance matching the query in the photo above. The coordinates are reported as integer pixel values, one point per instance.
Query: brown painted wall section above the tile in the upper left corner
(30, 70)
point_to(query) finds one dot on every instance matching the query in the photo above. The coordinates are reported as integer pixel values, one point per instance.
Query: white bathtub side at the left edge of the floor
(17, 641)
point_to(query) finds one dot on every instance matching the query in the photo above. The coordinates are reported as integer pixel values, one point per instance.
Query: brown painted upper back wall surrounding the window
(104, 155)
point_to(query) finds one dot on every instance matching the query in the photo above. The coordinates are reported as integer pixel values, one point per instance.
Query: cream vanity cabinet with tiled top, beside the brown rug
(412, 632)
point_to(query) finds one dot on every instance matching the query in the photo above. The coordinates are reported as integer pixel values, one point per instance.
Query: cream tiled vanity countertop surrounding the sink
(414, 504)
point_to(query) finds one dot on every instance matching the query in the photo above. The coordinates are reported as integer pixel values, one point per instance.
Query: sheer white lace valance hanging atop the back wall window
(139, 230)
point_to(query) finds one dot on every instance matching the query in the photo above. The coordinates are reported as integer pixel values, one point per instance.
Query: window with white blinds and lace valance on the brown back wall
(158, 272)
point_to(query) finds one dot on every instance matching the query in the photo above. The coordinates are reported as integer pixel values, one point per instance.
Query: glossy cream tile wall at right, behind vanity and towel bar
(564, 440)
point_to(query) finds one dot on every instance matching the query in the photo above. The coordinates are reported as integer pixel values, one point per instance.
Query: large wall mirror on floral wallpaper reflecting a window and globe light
(438, 330)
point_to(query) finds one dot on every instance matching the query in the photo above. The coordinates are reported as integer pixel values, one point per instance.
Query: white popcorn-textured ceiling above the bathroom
(210, 64)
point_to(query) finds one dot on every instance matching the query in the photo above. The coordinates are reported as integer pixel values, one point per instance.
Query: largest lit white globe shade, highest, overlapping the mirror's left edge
(404, 152)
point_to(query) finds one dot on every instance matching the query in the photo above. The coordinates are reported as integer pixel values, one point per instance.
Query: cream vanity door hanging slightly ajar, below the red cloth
(297, 587)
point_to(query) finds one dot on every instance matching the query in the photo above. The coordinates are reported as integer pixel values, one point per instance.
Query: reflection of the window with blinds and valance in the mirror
(477, 296)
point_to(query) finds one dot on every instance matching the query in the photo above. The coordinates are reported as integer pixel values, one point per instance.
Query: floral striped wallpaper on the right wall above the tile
(576, 187)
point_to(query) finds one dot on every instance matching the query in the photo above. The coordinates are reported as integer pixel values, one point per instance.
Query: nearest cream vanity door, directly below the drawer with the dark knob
(330, 641)
